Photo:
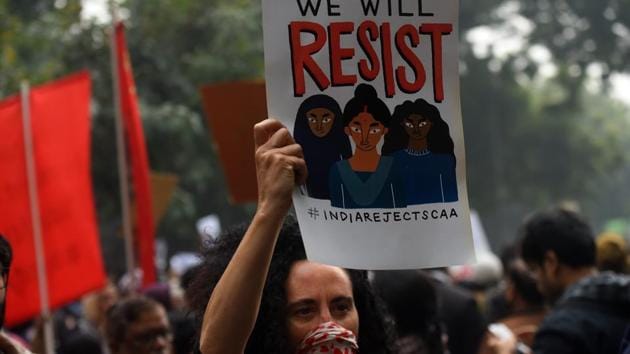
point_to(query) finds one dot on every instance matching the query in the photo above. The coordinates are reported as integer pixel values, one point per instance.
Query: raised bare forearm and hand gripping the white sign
(233, 306)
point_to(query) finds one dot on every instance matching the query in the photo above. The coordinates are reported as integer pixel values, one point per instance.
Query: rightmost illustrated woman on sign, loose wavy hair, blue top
(420, 143)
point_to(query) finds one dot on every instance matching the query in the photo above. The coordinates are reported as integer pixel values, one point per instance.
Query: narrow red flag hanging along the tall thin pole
(139, 162)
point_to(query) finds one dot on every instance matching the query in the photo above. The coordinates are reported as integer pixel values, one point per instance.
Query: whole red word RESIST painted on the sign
(410, 77)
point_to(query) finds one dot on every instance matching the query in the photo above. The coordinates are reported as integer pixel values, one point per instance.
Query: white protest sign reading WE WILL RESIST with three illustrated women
(370, 89)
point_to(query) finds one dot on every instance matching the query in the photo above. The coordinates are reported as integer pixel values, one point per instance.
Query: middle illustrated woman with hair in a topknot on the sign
(367, 179)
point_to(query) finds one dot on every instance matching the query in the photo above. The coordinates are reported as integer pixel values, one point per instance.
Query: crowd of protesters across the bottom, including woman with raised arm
(562, 290)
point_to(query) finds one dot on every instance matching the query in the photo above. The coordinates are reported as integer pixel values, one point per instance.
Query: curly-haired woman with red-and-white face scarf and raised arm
(257, 293)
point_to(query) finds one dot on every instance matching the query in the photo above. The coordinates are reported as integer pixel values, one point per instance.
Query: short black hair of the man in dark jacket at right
(562, 231)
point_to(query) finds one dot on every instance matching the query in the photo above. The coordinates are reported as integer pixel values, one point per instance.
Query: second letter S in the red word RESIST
(411, 58)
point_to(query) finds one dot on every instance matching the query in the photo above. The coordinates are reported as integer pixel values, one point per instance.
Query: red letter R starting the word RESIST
(301, 55)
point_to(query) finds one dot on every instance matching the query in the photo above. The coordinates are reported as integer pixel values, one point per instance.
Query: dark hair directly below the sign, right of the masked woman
(412, 301)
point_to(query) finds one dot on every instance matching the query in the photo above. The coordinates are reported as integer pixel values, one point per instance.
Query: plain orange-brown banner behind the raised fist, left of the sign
(232, 109)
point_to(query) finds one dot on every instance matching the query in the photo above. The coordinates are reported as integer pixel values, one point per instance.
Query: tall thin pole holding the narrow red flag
(123, 173)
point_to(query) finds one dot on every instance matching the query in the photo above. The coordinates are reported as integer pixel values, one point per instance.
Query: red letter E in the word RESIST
(338, 54)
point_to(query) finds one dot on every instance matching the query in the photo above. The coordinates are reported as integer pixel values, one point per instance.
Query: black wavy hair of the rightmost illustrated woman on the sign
(438, 139)
